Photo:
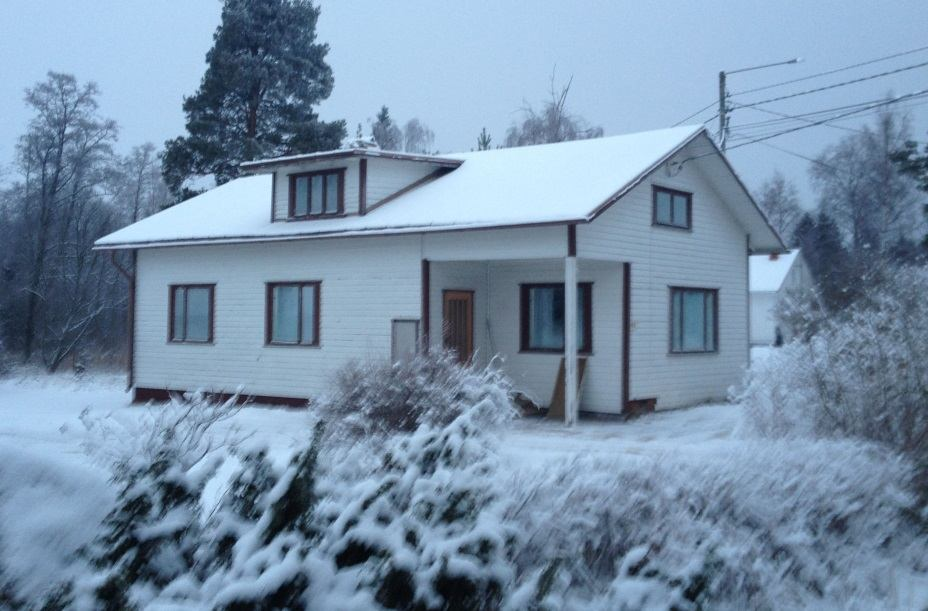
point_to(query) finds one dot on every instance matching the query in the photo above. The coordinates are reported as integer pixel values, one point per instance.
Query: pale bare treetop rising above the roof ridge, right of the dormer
(553, 123)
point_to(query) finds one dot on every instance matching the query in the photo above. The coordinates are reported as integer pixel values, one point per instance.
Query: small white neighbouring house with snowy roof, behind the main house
(774, 277)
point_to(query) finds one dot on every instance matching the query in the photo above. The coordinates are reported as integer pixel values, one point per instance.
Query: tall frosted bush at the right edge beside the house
(863, 374)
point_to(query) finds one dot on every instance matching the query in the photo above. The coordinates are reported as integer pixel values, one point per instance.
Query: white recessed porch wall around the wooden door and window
(496, 286)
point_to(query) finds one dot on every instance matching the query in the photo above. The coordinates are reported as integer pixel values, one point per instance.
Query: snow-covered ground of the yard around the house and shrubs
(53, 495)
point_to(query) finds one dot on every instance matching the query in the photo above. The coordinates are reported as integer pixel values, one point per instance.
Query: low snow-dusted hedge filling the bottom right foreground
(808, 524)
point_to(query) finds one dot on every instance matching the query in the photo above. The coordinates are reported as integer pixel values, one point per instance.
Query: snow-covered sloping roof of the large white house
(545, 184)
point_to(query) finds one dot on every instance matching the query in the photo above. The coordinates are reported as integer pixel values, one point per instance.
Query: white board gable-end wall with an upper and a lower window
(710, 255)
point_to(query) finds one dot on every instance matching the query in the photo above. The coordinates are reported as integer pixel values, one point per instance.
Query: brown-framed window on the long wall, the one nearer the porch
(293, 313)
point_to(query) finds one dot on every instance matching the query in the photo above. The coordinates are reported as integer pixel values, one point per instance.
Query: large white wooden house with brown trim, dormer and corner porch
(629, 251)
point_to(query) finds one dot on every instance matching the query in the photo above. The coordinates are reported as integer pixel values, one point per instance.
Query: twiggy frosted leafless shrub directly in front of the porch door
(376, 398)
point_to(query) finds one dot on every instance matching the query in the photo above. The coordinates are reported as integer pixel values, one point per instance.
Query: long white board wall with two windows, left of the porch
(366, 282)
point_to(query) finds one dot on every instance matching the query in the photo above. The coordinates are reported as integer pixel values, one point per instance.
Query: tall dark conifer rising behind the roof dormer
(264, 74)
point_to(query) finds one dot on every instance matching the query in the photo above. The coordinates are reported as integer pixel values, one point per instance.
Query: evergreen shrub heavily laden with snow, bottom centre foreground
(425, 529)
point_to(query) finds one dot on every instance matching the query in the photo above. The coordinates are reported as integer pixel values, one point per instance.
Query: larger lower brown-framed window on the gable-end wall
(693, 320)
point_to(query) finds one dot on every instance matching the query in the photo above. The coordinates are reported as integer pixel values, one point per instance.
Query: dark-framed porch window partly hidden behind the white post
(542, 323)
